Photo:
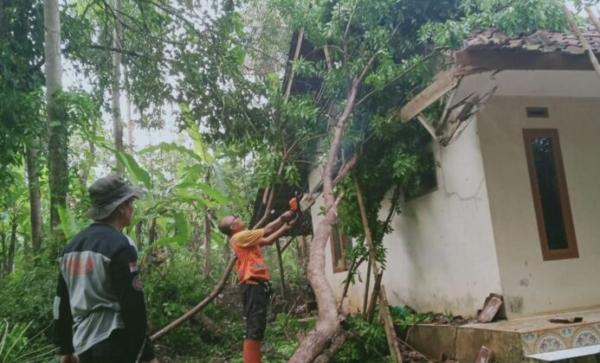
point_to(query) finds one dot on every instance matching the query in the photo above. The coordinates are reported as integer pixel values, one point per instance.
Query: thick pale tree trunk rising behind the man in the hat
(58, 138)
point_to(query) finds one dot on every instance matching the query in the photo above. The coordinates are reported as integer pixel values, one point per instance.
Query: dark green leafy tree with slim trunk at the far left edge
(21, 80)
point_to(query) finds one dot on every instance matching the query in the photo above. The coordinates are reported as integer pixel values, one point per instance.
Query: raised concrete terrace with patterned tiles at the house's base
(528, 339)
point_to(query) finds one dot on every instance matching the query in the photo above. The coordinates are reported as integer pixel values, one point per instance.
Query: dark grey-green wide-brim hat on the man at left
(108, 193)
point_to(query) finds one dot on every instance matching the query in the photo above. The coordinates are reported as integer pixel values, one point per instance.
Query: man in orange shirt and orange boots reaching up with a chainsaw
(254, 274)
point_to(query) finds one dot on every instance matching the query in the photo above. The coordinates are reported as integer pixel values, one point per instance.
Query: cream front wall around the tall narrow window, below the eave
(530, 284)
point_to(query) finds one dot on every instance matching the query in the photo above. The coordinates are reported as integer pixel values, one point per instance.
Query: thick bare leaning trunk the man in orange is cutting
(328, 323)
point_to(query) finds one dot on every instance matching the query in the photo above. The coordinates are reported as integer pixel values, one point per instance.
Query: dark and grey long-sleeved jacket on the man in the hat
(99, 290)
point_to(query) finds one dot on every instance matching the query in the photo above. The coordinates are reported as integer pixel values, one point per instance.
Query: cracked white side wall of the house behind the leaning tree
(441, 255)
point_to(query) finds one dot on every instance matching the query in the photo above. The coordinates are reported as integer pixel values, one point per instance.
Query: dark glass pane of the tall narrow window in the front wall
(545, 168)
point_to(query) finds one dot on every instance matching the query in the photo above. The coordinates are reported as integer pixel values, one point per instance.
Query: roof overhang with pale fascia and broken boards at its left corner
(481, 71)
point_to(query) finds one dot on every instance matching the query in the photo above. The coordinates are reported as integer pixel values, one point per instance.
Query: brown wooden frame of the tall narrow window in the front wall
(551, 254)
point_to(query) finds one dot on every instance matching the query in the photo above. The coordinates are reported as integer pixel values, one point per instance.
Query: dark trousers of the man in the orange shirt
(255, 298)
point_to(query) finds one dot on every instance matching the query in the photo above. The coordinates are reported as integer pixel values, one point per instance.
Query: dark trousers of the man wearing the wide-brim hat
(111, 350)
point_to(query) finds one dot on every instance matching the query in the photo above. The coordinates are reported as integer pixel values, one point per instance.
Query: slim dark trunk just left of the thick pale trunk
(35, 203)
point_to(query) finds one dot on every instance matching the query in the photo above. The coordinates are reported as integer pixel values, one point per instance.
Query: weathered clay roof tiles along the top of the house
(539, 41)
